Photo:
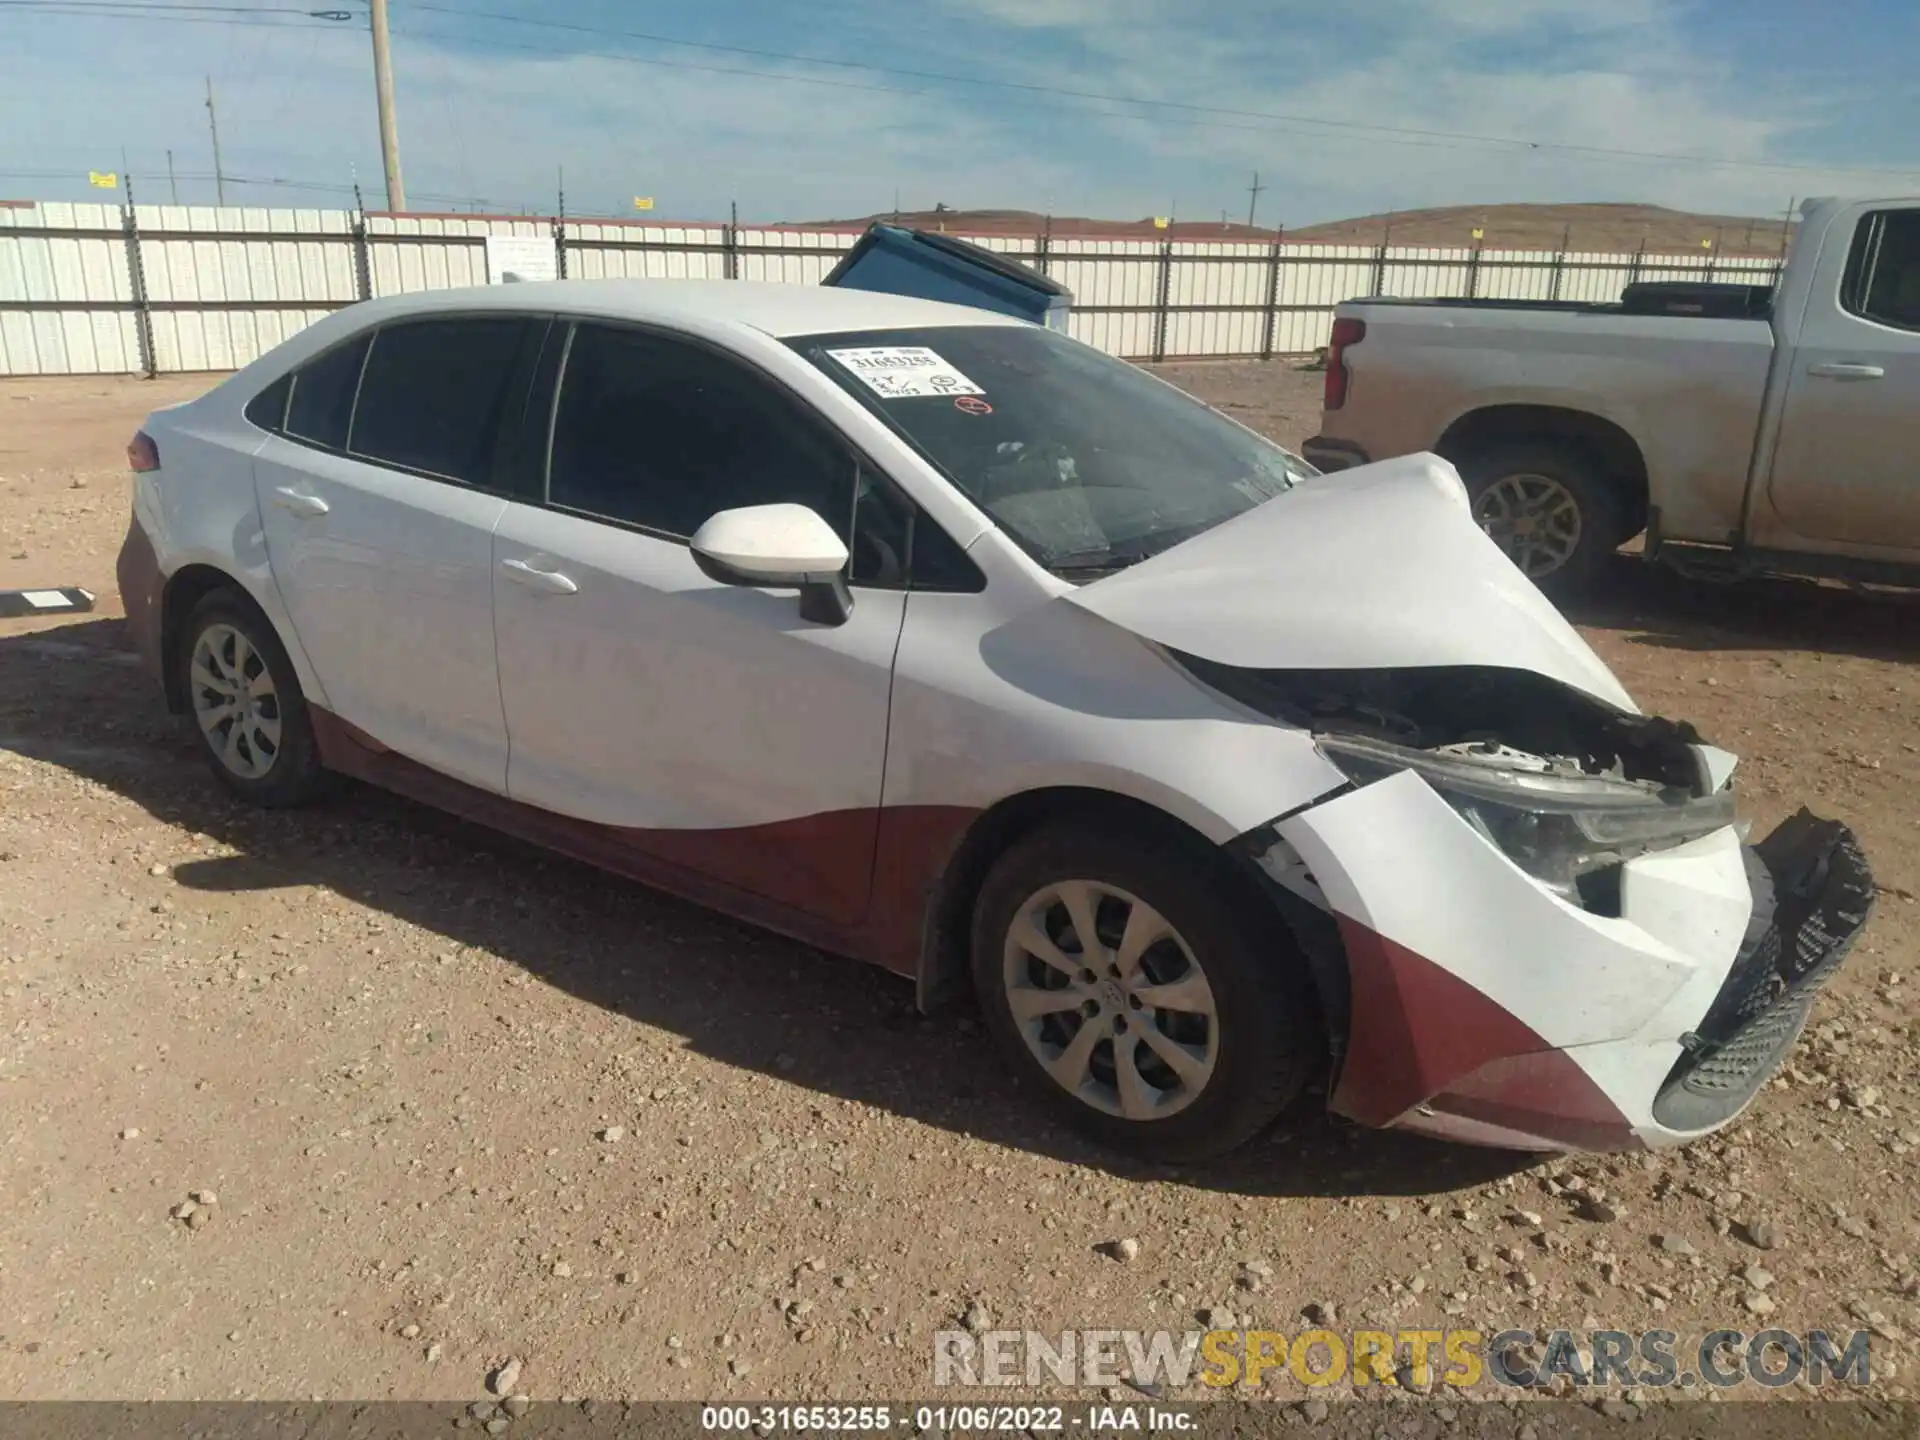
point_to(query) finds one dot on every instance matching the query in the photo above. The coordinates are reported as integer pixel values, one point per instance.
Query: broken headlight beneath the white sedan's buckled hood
(1552, 819)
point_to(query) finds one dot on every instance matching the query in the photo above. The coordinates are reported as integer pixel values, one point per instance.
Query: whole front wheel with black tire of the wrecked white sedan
(1259, 1045)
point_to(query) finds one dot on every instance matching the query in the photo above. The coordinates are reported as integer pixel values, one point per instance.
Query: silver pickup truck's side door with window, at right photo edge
(1844, 471)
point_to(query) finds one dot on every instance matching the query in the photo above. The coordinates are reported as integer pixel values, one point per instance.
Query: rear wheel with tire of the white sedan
(266, 754)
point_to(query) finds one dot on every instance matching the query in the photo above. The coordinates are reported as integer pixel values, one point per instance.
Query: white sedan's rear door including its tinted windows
(379, 510)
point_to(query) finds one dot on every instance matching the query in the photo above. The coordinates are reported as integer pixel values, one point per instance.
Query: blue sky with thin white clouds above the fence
(1376, 105)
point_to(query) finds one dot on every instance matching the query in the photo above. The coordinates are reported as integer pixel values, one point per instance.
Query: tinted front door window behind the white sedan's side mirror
(663, 435)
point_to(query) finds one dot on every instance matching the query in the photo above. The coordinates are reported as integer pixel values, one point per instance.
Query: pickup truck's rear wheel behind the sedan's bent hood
(1548, 508)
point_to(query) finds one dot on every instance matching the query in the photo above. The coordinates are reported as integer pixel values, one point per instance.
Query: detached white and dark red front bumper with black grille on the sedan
(1489, 1011)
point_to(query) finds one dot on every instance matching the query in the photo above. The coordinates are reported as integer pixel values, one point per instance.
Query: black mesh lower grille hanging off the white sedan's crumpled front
(1812, 898)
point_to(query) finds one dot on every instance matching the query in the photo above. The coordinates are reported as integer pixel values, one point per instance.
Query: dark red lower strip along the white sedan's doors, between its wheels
(855, 882)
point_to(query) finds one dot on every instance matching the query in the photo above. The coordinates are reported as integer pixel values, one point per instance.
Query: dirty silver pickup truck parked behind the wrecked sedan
(1744, 429)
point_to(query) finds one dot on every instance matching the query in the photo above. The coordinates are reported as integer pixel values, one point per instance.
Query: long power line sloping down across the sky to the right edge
(949, 78)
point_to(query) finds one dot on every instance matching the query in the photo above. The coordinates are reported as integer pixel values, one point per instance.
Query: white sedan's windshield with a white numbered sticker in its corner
(1084, 460)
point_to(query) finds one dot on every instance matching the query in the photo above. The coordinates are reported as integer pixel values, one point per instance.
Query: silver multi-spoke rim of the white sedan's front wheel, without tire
(1111, 999)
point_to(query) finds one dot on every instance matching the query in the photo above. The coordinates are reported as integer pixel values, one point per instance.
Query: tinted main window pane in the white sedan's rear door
(435, 393)
